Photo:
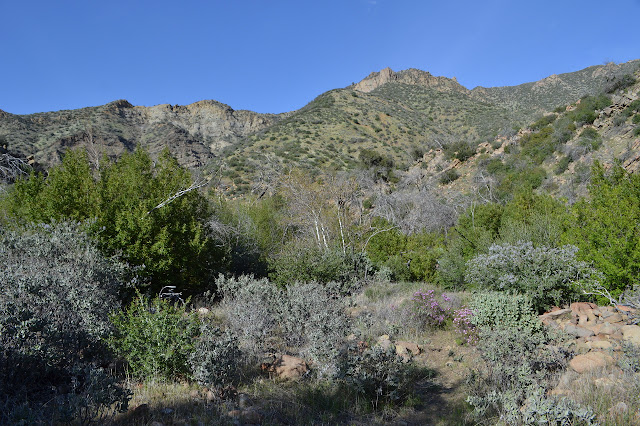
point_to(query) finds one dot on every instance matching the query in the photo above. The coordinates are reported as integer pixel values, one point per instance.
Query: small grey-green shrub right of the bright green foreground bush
(215, 358)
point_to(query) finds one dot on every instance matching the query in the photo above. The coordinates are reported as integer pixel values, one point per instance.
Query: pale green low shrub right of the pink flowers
(493, 310)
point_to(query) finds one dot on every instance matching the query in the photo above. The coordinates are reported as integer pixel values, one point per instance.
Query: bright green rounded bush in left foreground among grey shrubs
(155, 338)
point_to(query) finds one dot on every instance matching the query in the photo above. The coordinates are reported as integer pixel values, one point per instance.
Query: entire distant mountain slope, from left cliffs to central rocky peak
(398, 115)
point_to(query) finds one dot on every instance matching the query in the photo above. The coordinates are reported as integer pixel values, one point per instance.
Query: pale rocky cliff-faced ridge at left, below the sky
(193, 133)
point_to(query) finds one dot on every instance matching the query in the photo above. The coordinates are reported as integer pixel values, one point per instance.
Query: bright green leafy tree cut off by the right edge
(610, 242)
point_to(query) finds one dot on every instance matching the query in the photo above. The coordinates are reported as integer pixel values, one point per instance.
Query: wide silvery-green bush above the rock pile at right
(548, 275)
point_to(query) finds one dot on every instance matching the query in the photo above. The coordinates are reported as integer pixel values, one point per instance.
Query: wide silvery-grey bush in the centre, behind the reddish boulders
(306, 317)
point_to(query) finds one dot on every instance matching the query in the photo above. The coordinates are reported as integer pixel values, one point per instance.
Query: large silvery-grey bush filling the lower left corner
(57, 293)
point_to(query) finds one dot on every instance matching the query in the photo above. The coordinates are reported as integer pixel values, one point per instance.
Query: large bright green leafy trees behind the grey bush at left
(167, 244)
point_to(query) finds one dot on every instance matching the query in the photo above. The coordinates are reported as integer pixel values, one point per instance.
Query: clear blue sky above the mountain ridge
(276, 56)
